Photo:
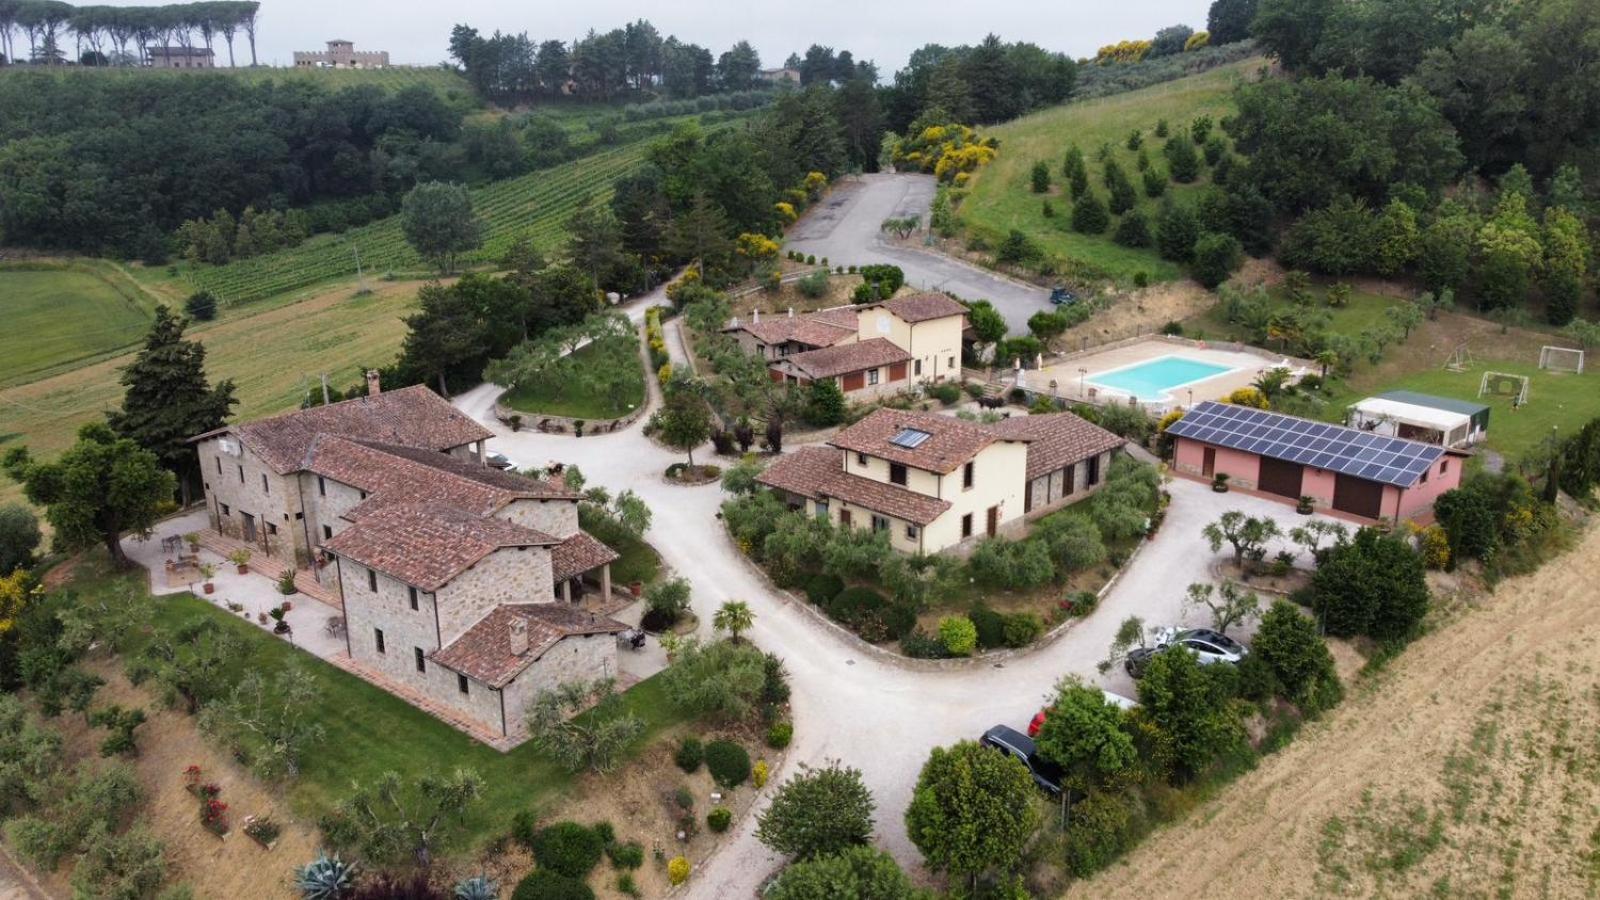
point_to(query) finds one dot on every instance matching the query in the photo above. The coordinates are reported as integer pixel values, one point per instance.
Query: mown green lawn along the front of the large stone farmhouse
(370, 733)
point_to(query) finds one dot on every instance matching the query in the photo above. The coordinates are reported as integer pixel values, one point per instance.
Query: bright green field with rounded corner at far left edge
(66, 315)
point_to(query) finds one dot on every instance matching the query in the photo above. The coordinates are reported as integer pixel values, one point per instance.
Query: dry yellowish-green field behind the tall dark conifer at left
(273, 358)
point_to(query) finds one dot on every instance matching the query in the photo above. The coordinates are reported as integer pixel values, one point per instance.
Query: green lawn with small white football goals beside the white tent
(1558, 403)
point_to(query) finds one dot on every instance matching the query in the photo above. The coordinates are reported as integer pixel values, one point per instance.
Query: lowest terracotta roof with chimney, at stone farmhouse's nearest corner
(484, 651)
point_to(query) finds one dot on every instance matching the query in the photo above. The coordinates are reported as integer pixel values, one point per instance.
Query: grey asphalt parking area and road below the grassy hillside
(846, 230)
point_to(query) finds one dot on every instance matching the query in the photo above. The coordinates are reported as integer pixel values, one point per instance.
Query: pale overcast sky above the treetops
(884, 31)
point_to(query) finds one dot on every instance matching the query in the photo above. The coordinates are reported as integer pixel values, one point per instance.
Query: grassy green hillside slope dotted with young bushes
(1002, 196)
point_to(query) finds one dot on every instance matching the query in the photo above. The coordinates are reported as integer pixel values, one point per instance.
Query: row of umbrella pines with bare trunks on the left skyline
(97, 31)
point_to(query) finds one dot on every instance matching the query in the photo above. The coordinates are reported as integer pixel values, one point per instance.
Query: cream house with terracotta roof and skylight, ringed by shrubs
(937, 483)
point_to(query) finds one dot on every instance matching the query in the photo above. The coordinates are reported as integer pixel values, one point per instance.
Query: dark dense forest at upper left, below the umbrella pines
(180, 150)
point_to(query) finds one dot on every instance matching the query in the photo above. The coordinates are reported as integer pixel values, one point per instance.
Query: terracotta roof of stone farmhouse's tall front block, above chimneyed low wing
(430, 544)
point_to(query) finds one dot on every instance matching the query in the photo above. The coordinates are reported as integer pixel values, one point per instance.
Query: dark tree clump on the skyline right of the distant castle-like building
(631, 62)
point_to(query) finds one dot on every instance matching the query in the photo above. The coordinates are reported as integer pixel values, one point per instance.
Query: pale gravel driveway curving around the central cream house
(849, 702)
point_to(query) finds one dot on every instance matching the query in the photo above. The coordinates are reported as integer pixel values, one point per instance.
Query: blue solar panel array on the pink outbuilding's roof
(1332, 448)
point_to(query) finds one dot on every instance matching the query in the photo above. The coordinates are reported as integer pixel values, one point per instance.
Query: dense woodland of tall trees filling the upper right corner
(1449, 143)
